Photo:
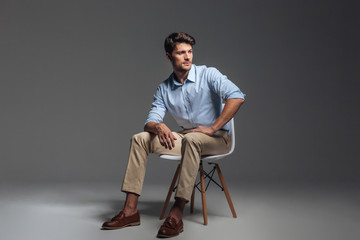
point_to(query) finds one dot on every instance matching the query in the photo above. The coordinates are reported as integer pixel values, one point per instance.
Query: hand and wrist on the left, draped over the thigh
(166, 138)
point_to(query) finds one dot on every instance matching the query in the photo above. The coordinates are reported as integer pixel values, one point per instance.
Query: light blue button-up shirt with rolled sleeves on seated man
(197, 102)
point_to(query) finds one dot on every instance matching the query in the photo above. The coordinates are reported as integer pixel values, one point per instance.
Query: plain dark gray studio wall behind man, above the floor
(77, 80)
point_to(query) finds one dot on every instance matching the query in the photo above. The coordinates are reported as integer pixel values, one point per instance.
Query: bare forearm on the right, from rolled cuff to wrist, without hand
(231, 107)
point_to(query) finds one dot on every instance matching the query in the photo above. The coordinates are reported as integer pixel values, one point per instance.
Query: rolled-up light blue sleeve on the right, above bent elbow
(225, 88)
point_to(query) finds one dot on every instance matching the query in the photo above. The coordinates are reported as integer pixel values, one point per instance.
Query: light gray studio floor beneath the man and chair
(76, 211)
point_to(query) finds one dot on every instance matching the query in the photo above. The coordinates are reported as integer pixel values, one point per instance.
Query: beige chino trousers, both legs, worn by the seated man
(190, 146)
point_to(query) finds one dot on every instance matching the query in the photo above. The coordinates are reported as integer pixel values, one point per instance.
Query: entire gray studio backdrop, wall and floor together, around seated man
(77, 80)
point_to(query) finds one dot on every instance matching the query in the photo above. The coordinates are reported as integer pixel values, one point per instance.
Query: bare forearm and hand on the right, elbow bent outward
(231, 107)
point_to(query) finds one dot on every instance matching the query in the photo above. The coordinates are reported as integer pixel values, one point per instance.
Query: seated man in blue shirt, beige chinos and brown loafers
(193, 95)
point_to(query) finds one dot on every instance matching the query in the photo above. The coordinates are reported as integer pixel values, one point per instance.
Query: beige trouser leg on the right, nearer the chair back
(194, 145)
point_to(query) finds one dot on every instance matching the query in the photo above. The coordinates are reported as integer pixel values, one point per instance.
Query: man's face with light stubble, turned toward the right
(181, 57)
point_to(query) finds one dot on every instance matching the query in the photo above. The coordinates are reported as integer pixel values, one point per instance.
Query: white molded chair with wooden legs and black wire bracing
(211, 160)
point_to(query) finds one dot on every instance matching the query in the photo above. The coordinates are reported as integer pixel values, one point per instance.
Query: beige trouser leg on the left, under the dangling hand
(142, 144)
